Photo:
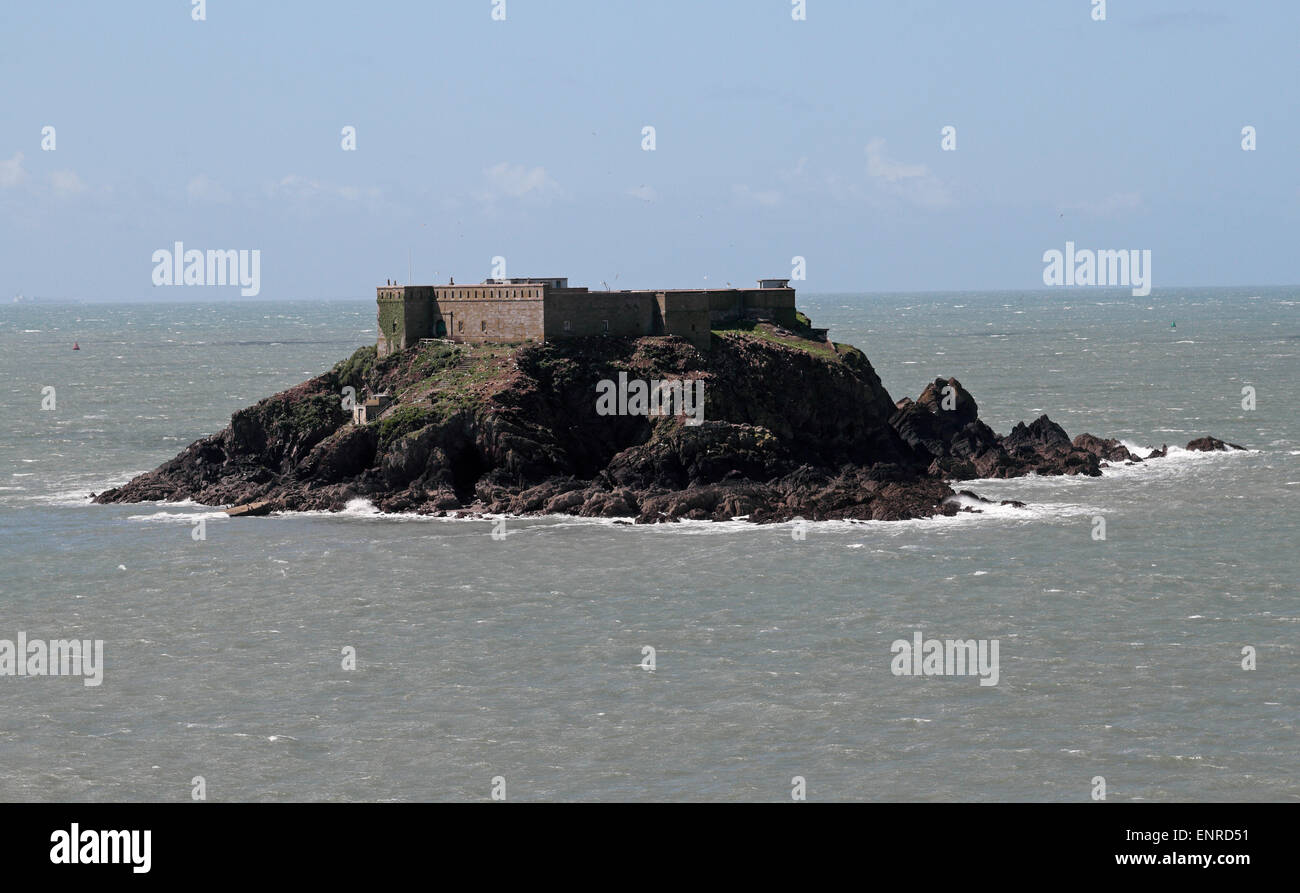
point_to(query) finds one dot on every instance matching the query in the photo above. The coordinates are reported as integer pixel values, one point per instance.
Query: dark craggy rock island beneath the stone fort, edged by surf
(788, 432)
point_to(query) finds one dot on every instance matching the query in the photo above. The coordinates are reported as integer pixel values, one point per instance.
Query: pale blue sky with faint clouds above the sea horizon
(523, 138)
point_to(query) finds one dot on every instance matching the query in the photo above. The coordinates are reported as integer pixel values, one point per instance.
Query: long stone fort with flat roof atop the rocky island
(549, 309)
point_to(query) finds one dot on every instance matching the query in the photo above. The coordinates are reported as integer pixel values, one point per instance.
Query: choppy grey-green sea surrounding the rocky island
(519, 658)
